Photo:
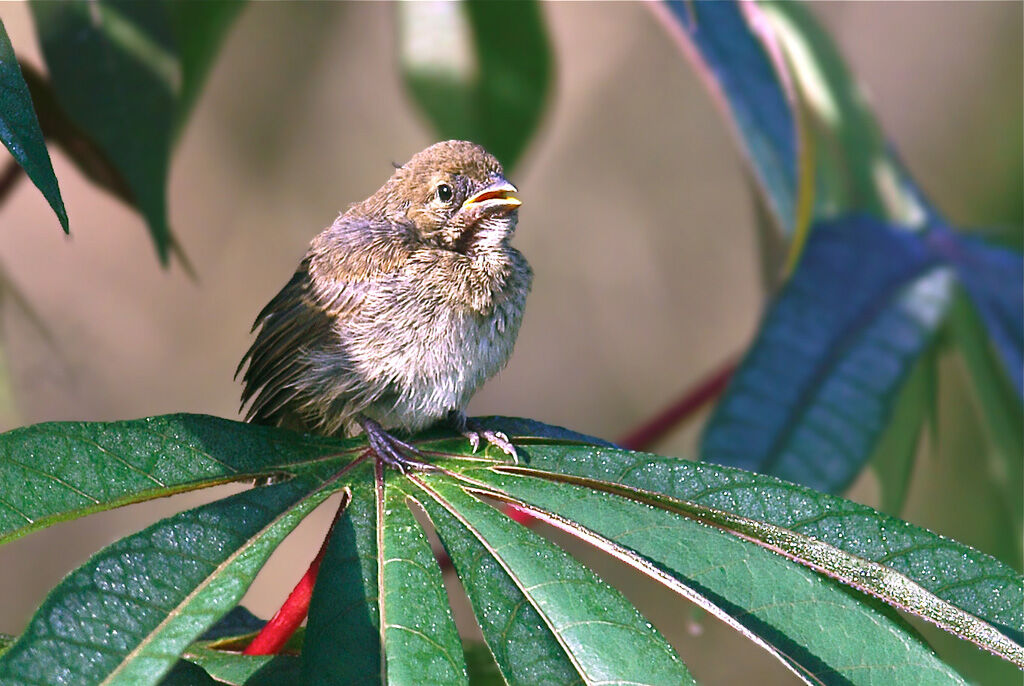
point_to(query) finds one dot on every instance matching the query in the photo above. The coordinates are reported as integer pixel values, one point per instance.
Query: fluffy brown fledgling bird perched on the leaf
(400, 311)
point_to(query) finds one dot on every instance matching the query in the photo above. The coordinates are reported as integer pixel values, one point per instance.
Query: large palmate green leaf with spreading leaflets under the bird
(701, 530)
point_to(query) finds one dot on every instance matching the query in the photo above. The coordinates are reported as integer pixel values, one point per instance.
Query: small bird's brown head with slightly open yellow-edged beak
(456, 195)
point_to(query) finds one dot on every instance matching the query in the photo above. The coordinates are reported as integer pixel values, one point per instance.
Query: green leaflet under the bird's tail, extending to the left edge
(58, 471)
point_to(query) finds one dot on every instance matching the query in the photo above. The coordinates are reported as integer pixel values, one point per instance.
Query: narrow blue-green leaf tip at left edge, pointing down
(20, 130)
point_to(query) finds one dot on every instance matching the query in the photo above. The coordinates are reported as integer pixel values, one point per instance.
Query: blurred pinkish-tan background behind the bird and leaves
(638, 221)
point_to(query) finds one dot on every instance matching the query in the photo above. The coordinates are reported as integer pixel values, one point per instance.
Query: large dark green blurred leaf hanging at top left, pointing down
(115, 71)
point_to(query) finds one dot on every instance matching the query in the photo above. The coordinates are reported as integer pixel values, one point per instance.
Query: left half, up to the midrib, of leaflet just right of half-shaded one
(524, 646)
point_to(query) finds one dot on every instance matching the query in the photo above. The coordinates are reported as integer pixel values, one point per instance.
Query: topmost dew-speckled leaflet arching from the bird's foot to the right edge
(956, 574)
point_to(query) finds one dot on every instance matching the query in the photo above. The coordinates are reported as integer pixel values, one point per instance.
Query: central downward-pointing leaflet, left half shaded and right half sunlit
(343, 644)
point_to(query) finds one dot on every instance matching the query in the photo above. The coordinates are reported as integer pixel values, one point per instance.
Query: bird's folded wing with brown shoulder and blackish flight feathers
(343, 266)
